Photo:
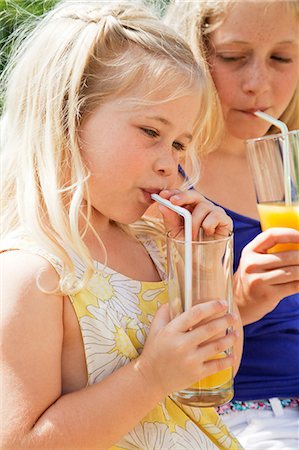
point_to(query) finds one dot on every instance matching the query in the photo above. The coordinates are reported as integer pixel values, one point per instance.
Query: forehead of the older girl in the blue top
(254, 20)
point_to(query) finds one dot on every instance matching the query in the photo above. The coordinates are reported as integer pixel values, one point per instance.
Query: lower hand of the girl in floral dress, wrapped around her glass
(178, 353)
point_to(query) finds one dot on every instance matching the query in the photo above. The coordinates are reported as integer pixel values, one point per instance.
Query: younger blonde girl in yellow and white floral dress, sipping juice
(100, 101)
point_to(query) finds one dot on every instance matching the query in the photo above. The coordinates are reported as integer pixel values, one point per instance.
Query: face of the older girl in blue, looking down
(255, 64)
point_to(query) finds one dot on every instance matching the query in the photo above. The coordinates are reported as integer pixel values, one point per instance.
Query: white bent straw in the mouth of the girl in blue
(285, 153)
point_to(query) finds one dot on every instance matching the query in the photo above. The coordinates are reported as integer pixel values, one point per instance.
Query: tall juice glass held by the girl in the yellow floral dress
(212, 258)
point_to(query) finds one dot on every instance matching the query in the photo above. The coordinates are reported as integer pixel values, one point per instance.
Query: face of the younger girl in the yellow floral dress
(133, 152)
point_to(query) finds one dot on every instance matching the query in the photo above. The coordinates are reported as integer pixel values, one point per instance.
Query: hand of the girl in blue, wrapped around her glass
(262, 278)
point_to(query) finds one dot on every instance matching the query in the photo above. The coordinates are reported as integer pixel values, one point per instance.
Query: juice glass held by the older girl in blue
(268, 160)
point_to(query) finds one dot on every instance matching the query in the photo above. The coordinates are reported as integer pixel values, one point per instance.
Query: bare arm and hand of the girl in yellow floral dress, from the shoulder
(35, 414)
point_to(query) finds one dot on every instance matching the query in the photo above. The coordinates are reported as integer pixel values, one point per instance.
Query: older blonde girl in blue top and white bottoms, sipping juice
(251, 49)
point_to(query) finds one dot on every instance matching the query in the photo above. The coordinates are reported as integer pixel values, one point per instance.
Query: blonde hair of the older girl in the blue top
(196, 20)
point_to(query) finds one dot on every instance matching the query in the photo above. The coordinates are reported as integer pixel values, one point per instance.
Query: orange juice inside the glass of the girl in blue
(277, 214)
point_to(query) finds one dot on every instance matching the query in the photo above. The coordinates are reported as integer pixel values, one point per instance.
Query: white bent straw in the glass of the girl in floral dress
(188, 244)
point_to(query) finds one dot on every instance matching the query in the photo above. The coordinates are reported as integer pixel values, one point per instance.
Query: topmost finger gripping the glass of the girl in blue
(267, 239)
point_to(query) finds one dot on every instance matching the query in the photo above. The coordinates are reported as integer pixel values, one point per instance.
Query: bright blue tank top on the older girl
(270, 361)
